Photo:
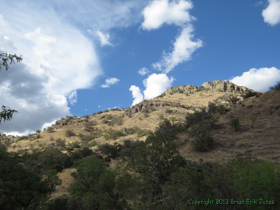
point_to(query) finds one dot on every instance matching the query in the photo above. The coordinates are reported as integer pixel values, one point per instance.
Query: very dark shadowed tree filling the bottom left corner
(20, 188)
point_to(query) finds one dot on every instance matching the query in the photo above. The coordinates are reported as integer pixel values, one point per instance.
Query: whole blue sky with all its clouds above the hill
(81, 57)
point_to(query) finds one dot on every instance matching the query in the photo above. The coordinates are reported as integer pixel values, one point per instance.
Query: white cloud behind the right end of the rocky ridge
(258, 79)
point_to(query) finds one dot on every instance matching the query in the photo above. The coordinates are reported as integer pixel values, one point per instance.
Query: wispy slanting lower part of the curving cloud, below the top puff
(183, 49)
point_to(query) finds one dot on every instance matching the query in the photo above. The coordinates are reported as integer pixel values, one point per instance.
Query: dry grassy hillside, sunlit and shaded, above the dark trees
(135, 123)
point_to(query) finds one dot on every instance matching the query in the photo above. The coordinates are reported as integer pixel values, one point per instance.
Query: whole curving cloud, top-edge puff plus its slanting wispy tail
(175, 12)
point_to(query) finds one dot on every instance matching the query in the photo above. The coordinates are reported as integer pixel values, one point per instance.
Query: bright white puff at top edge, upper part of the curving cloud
(159, 12)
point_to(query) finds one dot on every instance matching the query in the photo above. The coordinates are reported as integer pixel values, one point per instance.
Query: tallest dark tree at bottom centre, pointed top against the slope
(153, 163)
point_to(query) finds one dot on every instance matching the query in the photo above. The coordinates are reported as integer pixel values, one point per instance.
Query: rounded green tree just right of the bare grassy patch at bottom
(94, 186)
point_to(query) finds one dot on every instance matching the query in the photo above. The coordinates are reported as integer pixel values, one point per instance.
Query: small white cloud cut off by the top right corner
(271, 14)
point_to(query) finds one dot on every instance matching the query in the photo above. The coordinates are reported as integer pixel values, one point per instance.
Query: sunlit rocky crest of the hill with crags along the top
(166, 99)
